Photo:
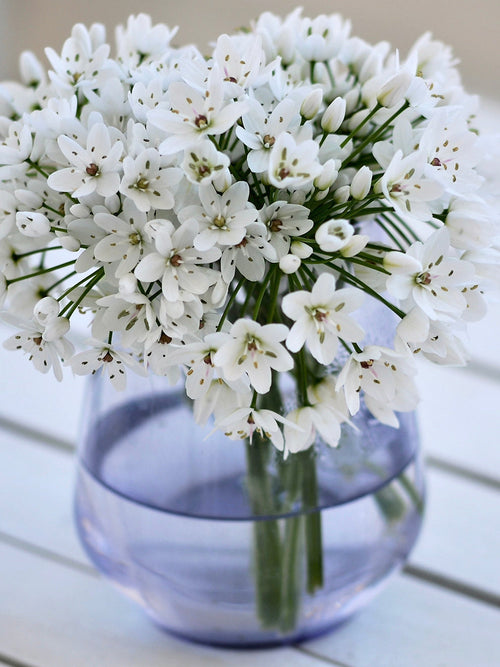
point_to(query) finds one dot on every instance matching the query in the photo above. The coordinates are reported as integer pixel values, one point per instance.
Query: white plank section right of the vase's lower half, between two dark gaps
(460, 537)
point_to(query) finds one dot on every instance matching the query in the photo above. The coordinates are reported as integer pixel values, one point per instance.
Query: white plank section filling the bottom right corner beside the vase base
(413, 624)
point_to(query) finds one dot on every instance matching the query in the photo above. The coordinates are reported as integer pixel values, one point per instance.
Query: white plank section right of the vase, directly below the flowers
(460, 418)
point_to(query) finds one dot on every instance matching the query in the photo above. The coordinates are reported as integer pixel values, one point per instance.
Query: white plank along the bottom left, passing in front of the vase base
(53, 616)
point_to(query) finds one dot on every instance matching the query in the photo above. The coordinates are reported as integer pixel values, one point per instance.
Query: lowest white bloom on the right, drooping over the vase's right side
(386, 379)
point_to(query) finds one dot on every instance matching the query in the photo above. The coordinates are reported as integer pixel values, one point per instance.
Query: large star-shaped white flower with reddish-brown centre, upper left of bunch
(95, 168)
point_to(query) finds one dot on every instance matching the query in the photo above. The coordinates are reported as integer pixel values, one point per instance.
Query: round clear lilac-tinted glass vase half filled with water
(226, 543)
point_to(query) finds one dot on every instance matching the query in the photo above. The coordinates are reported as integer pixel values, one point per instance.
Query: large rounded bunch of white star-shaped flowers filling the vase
(230, 216)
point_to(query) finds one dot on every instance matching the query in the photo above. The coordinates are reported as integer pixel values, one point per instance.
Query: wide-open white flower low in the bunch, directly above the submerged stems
(254, 349)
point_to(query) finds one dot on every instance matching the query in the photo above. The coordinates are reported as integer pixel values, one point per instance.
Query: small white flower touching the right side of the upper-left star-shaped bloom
(147, 183)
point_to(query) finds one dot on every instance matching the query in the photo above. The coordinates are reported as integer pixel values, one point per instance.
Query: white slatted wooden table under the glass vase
(443, 610)
